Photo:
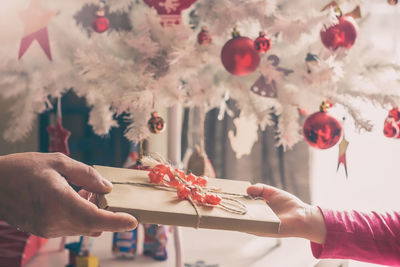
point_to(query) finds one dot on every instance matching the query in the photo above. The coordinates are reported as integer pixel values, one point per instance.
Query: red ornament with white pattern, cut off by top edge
(170, 10)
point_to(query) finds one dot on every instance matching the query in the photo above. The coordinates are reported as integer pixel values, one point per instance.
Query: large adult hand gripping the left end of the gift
(35, 197)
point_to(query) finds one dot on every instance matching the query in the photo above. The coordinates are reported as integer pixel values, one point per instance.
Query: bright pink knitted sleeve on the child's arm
(369, 237)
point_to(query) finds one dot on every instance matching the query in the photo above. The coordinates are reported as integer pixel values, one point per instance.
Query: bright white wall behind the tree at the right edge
(373, 159)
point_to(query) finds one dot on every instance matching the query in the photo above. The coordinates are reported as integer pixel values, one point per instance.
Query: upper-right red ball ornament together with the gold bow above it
(344, 33)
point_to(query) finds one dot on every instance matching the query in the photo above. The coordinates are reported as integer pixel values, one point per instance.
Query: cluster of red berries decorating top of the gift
(188, 186)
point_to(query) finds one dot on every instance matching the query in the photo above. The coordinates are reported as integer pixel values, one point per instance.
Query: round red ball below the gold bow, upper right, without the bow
(343, 34)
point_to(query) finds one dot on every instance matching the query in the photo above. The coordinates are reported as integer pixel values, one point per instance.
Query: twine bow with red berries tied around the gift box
(193, 189)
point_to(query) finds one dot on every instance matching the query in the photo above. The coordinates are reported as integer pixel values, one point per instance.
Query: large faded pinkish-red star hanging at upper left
(35, 19)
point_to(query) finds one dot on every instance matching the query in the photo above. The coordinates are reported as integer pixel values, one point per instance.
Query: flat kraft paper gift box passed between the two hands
(158, 206)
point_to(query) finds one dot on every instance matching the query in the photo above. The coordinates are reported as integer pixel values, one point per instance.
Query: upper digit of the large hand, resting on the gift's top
(80, 174)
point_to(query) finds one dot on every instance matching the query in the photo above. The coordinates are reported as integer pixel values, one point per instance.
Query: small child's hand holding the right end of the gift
(298, 219)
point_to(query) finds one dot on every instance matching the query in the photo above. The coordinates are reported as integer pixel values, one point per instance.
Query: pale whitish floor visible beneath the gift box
(202, 248)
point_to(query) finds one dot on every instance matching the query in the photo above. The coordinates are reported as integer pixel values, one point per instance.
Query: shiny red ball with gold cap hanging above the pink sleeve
(321, 130)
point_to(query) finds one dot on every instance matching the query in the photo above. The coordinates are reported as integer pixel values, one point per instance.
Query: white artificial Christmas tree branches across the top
(159, 64)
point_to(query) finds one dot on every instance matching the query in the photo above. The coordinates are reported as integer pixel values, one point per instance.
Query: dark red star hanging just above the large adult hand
(58, 138)
